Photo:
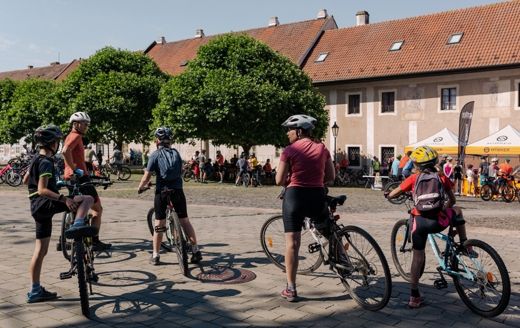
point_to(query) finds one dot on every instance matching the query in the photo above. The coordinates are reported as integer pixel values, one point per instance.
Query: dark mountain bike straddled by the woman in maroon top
(349, 251)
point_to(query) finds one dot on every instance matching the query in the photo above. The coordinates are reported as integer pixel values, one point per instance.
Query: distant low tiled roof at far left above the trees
(54, 71)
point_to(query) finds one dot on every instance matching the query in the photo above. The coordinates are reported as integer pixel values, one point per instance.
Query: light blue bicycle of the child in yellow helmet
(480, 276)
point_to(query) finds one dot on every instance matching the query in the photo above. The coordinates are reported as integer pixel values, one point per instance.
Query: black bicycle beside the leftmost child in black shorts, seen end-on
(79, 252)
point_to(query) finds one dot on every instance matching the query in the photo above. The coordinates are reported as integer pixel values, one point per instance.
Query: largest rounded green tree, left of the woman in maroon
(238, 91)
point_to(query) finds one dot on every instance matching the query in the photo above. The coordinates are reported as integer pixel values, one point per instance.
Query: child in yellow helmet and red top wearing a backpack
(431, 212)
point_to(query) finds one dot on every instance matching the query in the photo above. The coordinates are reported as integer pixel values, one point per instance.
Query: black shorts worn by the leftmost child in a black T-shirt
(42, 210)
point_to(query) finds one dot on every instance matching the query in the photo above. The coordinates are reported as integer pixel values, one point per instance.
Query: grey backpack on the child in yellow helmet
(429, 194)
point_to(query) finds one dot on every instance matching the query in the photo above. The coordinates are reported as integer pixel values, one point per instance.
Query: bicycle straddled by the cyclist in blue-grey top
(176, 237)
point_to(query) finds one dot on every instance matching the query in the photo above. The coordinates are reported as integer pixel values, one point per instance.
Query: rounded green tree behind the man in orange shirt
(118, 89)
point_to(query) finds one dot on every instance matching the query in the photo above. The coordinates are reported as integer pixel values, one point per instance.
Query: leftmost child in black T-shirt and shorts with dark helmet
(46, 201)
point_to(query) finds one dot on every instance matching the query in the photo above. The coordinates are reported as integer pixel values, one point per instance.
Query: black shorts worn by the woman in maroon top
(299, 203)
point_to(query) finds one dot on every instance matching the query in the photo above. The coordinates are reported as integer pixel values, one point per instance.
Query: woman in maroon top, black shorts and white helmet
(305, 166)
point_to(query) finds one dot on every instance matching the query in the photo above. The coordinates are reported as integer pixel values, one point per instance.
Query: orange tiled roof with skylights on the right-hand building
(491, 38)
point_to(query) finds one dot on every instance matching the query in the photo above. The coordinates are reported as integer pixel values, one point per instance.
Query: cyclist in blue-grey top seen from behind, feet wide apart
(166, 162)
